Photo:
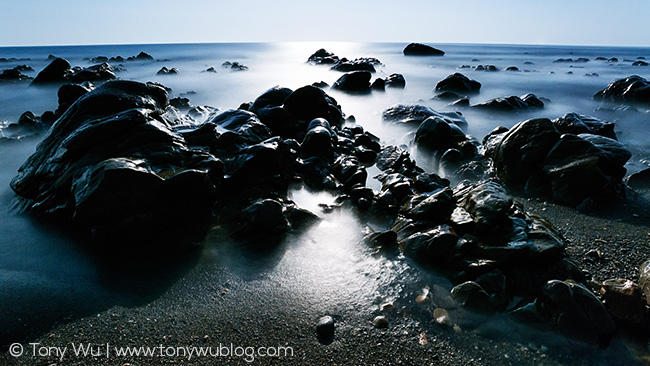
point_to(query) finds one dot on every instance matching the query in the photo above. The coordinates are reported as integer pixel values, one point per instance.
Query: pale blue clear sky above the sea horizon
(570, 22)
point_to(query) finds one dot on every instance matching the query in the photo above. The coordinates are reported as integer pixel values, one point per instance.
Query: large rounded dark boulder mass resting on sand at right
(536, 158)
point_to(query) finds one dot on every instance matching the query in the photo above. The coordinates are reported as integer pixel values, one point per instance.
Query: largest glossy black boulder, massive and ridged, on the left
(112, 164)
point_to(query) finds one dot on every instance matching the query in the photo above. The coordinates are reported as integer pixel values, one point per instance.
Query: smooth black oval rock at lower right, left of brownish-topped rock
(576, 312)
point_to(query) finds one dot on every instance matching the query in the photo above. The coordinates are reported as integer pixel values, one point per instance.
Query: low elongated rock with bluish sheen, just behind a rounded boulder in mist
(414, 115)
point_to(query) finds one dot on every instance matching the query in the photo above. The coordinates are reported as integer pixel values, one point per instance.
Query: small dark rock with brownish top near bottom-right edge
(624, 300)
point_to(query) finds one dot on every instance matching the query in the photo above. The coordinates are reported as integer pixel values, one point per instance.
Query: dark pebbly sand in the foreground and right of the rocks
(215, 304)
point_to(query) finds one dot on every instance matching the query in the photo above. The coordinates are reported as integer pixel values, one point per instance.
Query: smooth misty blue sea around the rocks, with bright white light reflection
(42, 267)
